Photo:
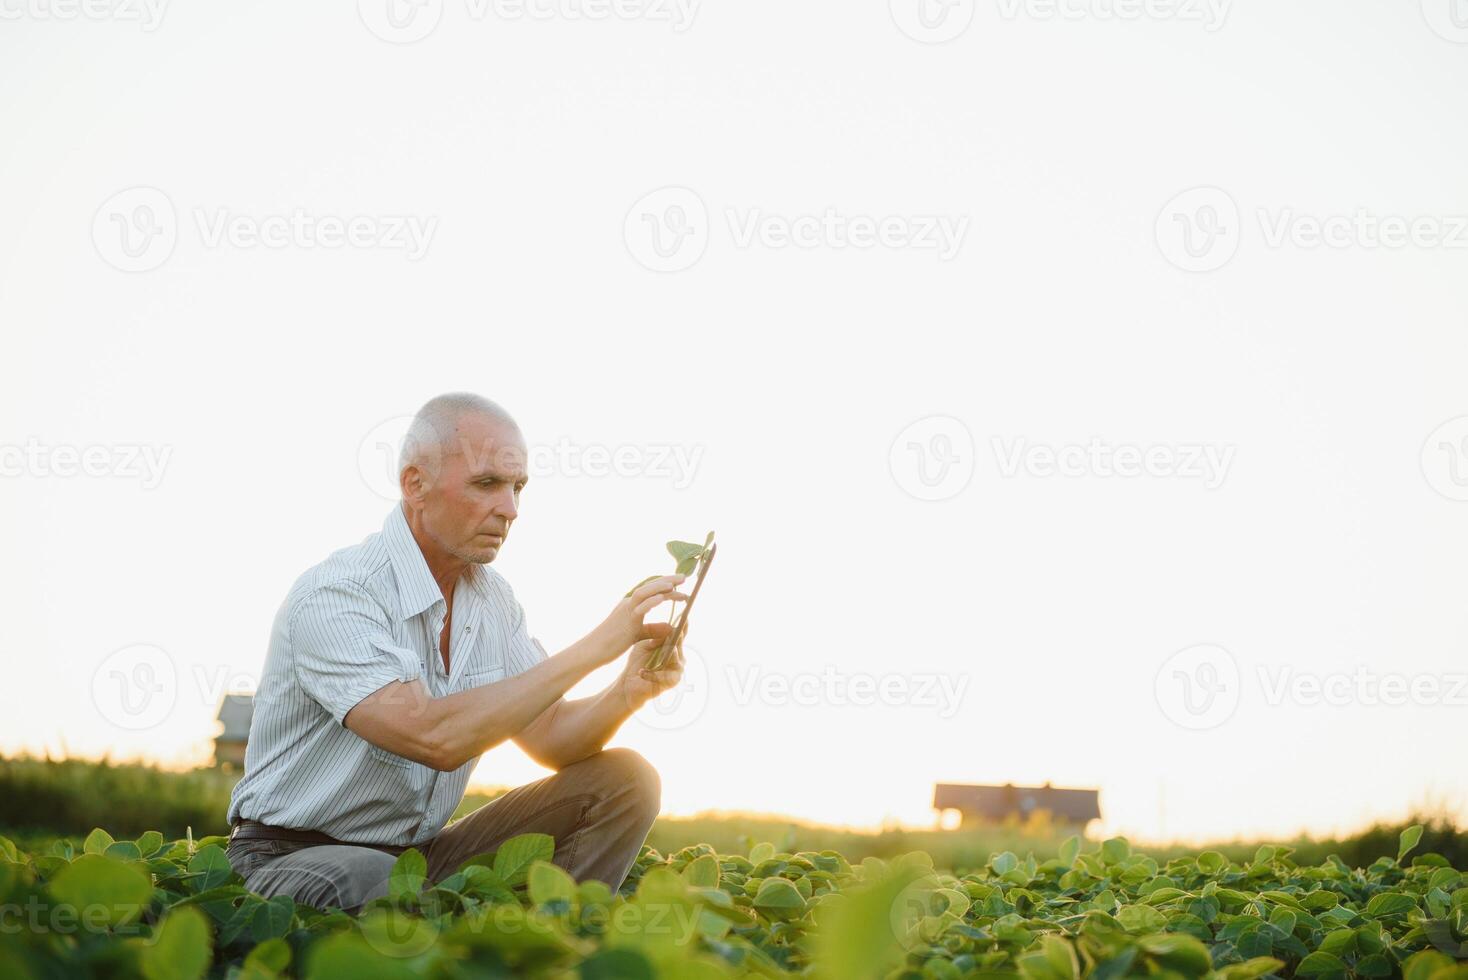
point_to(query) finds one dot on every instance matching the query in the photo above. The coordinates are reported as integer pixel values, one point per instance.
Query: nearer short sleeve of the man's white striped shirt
(344, 649)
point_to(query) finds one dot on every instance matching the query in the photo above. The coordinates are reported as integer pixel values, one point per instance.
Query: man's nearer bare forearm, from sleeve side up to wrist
(469, 724)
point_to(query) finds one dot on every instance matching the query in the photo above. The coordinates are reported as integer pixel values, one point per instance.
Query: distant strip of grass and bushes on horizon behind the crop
(45, 799)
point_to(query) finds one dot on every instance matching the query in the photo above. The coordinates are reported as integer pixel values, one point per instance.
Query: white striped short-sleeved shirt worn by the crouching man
(366, 617)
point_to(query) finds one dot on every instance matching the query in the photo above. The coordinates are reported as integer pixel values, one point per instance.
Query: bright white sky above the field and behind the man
(993, 235)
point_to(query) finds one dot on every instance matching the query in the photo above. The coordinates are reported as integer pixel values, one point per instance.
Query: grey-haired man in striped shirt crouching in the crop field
(397, 662)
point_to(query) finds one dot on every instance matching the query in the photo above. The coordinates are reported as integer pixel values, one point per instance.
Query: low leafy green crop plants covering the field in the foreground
(177, 912)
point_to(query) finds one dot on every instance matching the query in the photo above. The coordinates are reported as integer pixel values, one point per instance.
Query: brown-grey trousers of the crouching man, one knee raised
(598, 811)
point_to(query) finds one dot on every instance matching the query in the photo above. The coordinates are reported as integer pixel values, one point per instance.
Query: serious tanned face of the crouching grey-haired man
(469, 507)
